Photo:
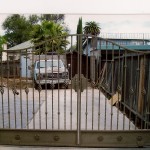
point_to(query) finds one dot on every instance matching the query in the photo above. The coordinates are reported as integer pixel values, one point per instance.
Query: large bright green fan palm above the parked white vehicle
(52, 32)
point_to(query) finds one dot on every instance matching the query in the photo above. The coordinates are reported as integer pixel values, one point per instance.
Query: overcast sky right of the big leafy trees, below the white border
(113, 23)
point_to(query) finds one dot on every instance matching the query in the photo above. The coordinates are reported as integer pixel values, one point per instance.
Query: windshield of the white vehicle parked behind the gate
(54, 63)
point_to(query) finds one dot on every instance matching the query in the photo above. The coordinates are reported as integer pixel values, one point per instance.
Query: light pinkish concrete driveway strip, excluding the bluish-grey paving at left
(59, 111)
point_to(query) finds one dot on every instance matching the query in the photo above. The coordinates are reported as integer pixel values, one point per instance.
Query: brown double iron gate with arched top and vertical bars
(93, 95)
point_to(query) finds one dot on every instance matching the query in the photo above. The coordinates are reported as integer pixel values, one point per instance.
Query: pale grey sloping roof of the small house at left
(23, 45)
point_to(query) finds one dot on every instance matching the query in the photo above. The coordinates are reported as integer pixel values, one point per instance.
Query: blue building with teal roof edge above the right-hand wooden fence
(100, 44)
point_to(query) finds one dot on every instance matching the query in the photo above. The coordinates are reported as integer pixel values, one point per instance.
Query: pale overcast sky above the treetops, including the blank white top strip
(117, 16)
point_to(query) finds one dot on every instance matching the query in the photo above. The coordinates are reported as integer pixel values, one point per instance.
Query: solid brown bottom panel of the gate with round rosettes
(138, 138)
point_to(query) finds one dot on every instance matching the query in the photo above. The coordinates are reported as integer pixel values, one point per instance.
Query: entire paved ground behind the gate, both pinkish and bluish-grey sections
(57, 109)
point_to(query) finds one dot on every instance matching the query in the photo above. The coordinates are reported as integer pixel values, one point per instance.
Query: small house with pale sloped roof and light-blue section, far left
(18, 58)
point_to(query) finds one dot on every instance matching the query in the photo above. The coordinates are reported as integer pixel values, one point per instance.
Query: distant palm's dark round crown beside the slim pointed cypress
(92, 28)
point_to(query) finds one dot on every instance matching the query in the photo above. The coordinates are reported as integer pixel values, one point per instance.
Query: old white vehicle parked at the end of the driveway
(50, 72)
